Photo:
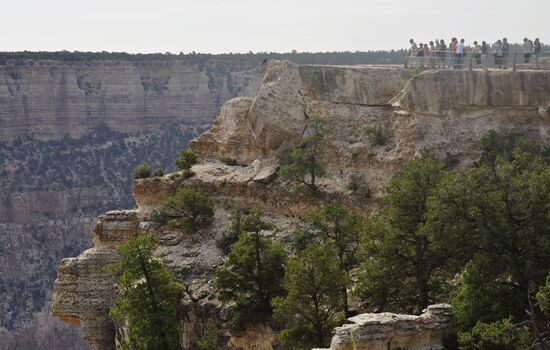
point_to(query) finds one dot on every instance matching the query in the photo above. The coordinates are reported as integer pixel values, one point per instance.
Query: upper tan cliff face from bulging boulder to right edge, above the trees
(444, 112)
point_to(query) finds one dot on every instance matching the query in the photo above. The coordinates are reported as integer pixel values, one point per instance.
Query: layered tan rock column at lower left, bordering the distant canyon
(85, 287)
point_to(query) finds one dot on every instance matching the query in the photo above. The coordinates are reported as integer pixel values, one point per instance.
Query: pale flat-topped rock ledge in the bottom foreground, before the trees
(388, 331)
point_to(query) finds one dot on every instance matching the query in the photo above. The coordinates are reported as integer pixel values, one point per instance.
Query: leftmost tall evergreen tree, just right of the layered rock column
(148, 298)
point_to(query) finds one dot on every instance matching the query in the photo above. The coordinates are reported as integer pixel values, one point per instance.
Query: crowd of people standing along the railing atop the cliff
(436, 54)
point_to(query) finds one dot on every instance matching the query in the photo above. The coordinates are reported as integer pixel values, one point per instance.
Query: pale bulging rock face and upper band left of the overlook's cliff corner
(289, 94)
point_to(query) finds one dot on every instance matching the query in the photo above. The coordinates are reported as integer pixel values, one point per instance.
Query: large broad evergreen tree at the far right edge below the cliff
(502, 208)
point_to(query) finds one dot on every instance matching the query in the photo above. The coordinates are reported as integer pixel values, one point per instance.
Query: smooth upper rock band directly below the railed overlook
(440, 92)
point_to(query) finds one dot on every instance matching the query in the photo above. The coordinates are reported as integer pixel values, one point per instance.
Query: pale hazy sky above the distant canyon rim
(222, 26)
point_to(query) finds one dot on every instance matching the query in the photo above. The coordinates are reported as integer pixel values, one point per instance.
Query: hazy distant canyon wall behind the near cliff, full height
(70, 134)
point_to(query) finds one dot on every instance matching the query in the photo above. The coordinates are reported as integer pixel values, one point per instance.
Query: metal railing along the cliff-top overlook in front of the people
(514, 60)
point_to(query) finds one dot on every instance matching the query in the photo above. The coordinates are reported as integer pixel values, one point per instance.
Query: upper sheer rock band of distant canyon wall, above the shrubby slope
(49, 100)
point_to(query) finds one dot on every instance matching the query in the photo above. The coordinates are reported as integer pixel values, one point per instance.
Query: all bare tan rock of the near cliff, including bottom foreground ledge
(440, 112)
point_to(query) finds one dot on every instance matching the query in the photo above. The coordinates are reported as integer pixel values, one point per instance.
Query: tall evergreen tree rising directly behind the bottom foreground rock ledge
(397, 247)
